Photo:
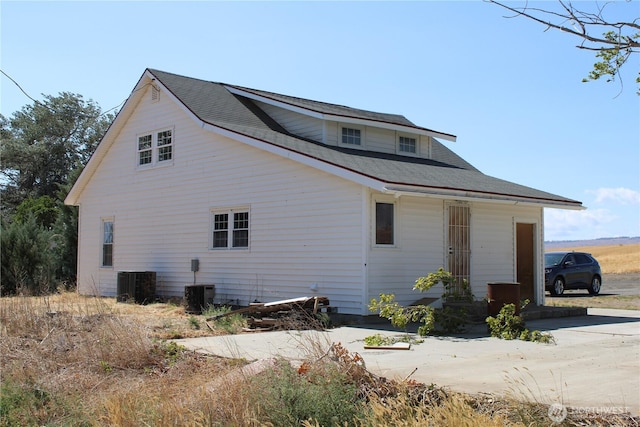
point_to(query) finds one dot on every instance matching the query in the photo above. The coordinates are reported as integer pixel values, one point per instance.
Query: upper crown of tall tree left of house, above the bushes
(44, 142)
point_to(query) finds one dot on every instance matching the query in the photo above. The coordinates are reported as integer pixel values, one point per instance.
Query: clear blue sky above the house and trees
(510, 91)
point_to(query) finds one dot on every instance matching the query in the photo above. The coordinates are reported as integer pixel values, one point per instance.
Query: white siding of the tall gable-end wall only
(305, 225)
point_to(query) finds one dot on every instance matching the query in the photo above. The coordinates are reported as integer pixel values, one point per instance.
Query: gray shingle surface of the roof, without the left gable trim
(212, 103)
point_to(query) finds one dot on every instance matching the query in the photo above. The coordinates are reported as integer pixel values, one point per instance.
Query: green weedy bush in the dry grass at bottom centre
(322, 394)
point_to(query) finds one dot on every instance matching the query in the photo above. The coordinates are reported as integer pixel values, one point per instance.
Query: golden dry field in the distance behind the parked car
(613, 259)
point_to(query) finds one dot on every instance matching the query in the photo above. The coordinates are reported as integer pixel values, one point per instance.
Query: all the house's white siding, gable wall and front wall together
(307, 228)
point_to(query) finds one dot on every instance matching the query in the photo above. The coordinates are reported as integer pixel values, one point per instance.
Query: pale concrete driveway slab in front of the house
(594, 365)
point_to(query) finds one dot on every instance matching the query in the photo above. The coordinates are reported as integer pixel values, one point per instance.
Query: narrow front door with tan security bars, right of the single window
(459, 241)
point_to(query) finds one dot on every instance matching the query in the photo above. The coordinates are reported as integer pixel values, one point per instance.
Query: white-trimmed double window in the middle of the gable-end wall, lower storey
(230, 228)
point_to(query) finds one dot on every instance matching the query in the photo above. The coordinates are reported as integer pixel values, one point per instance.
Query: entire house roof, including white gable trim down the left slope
(231, 110)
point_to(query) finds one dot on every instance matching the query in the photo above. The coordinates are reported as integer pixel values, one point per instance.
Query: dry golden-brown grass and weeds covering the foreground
(82, 361)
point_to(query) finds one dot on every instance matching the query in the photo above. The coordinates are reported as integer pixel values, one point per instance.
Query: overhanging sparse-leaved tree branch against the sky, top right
(613, 41)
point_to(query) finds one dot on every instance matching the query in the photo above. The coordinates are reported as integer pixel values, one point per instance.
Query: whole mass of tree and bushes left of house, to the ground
(43, 148)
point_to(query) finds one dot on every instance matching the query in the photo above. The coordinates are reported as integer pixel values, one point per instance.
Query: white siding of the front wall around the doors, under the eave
(420, 247)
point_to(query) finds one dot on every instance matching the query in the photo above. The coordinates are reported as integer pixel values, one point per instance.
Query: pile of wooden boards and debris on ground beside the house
(292, 314)
